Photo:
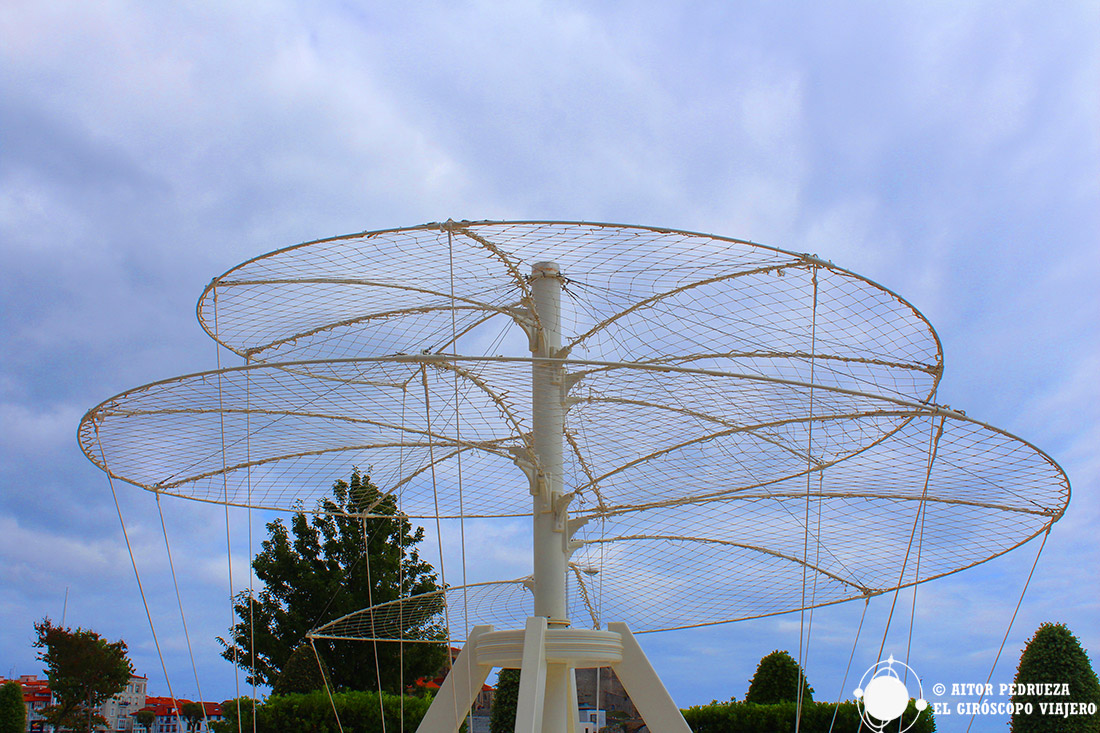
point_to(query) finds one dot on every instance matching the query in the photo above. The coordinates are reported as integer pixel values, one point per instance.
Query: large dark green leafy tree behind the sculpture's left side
(356, 551)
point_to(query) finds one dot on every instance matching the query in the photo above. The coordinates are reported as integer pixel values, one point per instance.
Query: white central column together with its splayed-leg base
(547, 651)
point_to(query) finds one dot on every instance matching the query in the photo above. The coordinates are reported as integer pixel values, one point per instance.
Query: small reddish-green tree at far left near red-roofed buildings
(84, 671)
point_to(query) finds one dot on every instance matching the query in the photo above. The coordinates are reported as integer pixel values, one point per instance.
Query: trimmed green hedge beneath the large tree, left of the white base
(313, 713)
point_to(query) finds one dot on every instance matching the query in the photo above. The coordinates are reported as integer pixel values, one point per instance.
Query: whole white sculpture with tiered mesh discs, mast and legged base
(708, 430)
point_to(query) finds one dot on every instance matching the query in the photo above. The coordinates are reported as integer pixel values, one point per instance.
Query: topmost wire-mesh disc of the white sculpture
(633, 294)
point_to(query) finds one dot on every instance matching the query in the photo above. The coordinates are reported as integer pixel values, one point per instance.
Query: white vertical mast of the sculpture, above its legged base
(547, 432)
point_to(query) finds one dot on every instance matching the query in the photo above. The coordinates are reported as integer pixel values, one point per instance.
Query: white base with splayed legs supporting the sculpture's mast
(547, 658)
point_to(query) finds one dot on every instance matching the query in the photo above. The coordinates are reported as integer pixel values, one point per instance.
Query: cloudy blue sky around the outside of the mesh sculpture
(948, 151)
